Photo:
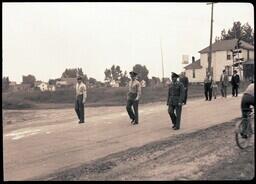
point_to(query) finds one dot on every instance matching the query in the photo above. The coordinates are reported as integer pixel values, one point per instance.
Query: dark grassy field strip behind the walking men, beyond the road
(96, 97)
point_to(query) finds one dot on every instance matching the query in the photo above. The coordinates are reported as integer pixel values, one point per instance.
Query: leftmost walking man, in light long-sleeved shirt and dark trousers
(80, 99)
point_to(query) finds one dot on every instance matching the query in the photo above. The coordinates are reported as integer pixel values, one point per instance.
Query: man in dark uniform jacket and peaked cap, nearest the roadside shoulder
(175, 100)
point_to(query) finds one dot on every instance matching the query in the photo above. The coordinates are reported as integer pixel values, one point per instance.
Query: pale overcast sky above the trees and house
(44, 39)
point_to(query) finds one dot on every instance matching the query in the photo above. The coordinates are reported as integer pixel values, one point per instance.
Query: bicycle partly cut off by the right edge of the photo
(245, 138)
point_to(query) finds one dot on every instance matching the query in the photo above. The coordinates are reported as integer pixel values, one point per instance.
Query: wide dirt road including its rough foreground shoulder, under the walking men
(51, 145)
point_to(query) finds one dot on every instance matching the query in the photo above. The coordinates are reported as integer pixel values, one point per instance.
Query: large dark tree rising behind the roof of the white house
(245, 32)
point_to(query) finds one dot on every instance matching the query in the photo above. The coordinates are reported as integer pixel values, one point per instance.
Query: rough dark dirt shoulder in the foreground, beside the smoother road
(209, 154)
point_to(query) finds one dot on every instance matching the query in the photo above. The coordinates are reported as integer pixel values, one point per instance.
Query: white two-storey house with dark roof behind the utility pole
(222, 58)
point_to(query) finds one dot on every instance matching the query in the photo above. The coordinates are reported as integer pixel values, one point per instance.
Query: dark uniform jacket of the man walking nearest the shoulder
(176, 93)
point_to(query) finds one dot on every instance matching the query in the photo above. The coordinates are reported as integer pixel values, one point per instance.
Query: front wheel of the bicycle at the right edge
(241, 142)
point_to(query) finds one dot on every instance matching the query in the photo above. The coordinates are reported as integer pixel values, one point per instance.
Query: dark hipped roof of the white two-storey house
(223, 45)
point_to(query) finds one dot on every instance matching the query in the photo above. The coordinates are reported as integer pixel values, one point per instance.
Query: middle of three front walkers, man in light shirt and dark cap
(133, 96)
